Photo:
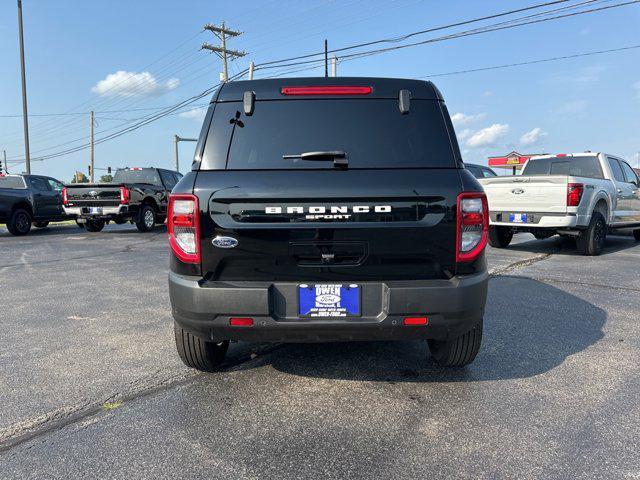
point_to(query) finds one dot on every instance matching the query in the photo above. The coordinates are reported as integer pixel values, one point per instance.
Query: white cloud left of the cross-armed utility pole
(132, 84)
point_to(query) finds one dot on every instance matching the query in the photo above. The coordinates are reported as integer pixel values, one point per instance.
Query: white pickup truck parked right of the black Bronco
(583, 195)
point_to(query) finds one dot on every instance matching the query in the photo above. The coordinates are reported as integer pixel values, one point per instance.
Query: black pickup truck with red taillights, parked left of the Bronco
(136, 195)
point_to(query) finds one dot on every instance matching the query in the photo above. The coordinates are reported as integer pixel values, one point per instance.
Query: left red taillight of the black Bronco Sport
(183, 225)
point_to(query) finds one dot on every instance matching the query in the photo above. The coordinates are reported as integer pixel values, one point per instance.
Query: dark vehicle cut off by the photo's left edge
(27, 200)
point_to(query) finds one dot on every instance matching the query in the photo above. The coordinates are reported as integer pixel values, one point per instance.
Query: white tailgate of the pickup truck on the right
(527, 194)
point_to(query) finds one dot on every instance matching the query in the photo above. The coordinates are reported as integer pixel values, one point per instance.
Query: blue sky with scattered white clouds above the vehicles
(75, 49)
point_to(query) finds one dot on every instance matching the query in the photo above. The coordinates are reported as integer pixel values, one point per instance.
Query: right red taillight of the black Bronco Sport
(472, 226)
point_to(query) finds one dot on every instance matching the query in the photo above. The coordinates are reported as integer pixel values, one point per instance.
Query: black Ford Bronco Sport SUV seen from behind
(322, 209)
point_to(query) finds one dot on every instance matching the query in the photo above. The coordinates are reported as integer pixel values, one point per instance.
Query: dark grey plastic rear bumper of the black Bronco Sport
(452, 307)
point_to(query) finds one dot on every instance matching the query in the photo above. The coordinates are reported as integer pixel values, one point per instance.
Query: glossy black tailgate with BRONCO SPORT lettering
(358, 225)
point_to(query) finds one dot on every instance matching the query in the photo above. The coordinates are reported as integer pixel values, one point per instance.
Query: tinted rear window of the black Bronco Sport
(373, 133)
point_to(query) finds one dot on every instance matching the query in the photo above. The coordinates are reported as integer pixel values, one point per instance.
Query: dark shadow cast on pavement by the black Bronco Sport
(530, 328)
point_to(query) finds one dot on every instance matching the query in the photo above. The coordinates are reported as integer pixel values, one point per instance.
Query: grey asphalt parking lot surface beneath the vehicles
(91, 386)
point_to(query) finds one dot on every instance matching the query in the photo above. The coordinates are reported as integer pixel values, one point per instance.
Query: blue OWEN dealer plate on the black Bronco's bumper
(329, 300)
